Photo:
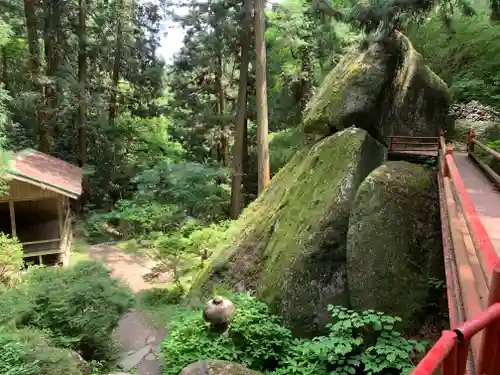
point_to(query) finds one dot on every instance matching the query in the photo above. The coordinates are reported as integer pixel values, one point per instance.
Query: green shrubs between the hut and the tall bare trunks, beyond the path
(166, 195)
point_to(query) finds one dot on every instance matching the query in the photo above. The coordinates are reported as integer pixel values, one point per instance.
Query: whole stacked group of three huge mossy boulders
(339, 224)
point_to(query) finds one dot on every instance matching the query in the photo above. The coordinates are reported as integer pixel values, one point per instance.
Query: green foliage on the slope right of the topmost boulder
(465, 55)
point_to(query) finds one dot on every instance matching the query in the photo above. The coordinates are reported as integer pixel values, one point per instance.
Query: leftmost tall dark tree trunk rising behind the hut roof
(37, 79)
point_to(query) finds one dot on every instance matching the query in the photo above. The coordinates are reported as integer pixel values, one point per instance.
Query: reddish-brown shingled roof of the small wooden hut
(36, 168)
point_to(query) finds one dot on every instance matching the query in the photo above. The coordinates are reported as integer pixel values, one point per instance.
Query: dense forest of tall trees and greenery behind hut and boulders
(82, 80)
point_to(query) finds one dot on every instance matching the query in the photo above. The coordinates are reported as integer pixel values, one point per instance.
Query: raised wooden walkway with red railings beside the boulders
(470, 222)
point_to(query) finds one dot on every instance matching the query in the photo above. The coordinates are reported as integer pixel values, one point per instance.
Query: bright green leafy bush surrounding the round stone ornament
(255, 338)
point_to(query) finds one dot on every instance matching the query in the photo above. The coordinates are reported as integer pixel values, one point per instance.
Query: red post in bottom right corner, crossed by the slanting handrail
(489, 352)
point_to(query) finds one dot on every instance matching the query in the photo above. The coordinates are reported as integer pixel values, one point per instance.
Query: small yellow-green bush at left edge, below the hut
(11, 260)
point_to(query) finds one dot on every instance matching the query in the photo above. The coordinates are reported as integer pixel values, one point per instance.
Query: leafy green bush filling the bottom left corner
(29, 352)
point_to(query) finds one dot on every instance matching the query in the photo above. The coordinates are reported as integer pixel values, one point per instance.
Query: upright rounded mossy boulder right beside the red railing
(394, 240)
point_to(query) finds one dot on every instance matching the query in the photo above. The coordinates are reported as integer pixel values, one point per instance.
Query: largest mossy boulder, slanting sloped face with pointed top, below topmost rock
(289, 244)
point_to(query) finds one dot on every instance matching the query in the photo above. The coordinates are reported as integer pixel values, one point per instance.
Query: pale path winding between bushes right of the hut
(138, 339)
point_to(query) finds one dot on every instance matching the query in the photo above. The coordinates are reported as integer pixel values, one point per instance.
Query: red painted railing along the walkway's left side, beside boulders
(481, 328)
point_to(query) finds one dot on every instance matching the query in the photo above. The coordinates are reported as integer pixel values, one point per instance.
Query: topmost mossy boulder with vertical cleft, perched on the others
(383, 87)
